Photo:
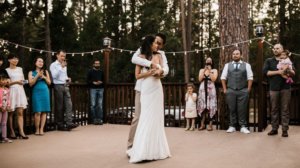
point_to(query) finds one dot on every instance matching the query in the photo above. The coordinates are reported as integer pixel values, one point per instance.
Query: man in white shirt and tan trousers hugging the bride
(160, 40)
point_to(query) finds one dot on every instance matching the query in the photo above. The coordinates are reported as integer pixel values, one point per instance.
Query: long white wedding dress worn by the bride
(150, 142)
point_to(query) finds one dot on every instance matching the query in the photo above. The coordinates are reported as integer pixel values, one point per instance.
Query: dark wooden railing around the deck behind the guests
(119, 106)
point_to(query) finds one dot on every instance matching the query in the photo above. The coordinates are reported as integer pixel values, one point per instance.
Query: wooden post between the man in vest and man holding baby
(261, 97)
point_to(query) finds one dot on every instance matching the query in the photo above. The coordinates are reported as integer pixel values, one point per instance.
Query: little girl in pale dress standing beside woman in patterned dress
(190, 107)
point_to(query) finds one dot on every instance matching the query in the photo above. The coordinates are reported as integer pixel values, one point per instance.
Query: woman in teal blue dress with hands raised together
(39, 80)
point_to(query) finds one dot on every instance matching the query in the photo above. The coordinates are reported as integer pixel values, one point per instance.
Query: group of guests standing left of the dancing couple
(13, 99)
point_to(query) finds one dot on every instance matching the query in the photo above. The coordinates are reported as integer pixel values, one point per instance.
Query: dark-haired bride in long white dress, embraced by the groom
(150, 142)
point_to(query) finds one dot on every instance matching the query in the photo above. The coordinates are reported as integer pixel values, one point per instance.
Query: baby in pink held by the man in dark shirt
(283, 62)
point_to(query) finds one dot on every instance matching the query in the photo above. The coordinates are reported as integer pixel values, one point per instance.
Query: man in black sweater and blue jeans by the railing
(95, 81)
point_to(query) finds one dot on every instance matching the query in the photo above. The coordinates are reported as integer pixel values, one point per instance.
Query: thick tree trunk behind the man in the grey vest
(233, 29)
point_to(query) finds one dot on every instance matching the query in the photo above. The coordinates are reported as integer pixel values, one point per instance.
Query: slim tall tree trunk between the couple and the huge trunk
(186, 68)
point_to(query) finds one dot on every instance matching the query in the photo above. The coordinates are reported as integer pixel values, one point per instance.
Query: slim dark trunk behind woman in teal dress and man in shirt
(47, 36)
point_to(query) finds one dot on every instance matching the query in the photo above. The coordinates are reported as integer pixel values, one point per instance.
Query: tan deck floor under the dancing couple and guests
(104, 147)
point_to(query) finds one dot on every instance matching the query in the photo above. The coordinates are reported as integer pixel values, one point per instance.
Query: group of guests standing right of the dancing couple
(236, 79)
